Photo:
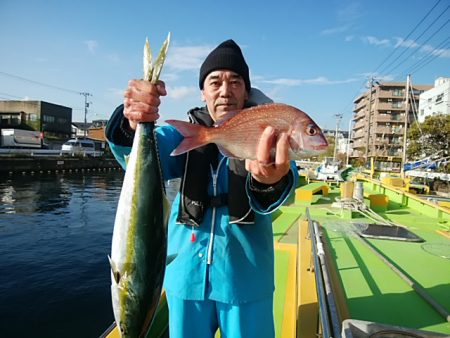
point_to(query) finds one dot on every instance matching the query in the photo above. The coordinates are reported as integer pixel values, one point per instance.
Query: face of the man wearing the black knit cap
(224, 92)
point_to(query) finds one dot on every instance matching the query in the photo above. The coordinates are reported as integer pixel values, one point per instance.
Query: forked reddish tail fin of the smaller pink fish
(195, 136)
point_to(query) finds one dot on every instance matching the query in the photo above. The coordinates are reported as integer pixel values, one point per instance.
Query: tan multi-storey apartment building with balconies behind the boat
(379, 119)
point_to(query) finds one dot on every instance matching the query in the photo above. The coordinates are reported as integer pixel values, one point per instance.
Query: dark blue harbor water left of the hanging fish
(55, 236)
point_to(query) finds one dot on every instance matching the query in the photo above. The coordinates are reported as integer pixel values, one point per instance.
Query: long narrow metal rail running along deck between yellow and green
(328, 314)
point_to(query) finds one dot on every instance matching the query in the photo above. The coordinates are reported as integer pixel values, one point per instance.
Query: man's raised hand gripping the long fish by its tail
(142, 100)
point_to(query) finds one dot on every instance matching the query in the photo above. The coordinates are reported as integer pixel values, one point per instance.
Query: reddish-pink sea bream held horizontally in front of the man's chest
(238, 136)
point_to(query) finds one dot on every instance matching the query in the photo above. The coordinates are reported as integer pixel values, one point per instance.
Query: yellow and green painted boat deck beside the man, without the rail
(384, 281)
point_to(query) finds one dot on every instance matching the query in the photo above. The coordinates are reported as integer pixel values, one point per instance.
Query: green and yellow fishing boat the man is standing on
(373, 265)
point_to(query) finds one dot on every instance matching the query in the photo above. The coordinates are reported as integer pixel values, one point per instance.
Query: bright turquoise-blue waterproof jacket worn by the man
(230, 263)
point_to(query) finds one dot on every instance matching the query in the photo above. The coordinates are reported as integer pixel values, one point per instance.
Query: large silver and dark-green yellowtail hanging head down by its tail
(139, 243)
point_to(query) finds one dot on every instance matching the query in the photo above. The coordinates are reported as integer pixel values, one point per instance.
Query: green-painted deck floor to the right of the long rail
(373, 291)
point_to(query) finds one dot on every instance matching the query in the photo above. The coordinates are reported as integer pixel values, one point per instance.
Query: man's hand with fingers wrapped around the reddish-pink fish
(262, 169)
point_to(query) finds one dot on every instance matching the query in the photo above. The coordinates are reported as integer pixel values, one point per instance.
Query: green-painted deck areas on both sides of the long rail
(371, 290)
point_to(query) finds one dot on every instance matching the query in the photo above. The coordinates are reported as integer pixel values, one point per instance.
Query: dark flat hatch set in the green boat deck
(390, 232)
